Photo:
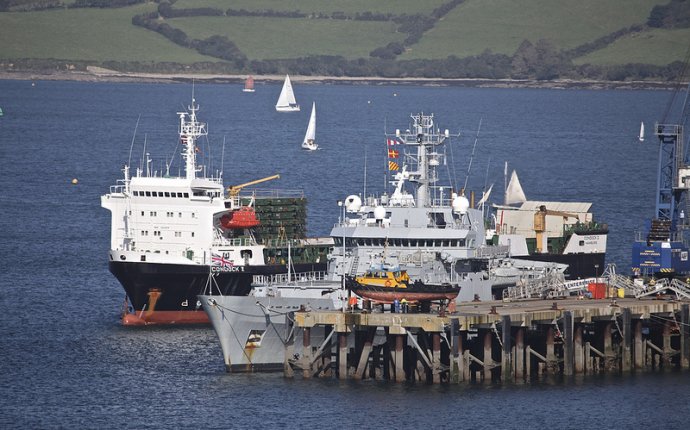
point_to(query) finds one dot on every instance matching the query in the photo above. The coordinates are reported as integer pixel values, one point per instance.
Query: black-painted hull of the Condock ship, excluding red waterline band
(174, 287)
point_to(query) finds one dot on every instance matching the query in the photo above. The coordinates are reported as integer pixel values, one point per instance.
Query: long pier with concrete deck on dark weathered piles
(496, 341)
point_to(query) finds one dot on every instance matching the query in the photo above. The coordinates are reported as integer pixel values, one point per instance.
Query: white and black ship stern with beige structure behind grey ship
(549, 231)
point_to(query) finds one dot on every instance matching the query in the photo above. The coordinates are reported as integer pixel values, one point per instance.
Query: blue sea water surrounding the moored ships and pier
(66, 362)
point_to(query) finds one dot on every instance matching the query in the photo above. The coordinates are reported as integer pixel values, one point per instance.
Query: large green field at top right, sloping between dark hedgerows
(501, 25)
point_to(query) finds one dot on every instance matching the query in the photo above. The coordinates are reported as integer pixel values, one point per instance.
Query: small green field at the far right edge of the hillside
(656, 46)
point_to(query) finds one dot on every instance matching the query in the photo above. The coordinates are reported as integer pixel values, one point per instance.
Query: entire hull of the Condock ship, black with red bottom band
(167, 293)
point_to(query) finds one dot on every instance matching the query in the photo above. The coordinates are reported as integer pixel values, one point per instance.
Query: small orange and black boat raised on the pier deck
(386, 285)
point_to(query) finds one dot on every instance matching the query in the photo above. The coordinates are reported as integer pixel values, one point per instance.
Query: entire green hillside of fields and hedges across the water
(538, 39)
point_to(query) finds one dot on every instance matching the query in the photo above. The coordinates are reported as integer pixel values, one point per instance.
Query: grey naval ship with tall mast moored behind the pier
(431, 233)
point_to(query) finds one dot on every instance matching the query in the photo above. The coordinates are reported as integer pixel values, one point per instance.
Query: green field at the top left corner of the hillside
(88, 34)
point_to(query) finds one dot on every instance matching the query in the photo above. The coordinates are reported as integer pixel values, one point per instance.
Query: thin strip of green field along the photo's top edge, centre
(397, 7)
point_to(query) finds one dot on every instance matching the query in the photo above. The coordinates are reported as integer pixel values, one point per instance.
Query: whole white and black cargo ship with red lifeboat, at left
(169, 233)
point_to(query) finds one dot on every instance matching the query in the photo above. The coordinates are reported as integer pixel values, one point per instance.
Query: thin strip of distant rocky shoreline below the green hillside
(97, 74)
